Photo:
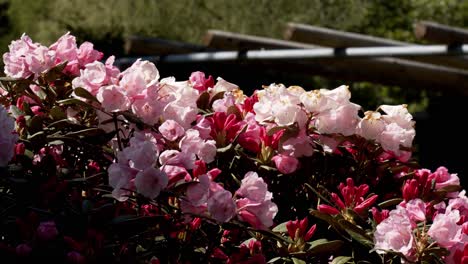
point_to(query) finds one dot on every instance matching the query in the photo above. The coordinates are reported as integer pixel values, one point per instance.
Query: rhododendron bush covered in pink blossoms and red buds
(105, 165)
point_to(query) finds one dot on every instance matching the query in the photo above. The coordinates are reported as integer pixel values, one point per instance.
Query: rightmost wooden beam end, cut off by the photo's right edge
(439, 33)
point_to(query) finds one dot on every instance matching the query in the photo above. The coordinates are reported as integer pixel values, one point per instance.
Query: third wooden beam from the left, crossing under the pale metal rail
(340, 39)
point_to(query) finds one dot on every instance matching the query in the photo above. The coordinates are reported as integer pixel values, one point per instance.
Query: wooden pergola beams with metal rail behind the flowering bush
(444, 73)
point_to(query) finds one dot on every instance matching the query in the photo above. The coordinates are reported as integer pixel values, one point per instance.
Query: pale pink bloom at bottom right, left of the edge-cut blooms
(395, 233)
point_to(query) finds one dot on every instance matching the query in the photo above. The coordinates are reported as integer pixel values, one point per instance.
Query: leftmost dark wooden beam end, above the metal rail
(142, 46)
